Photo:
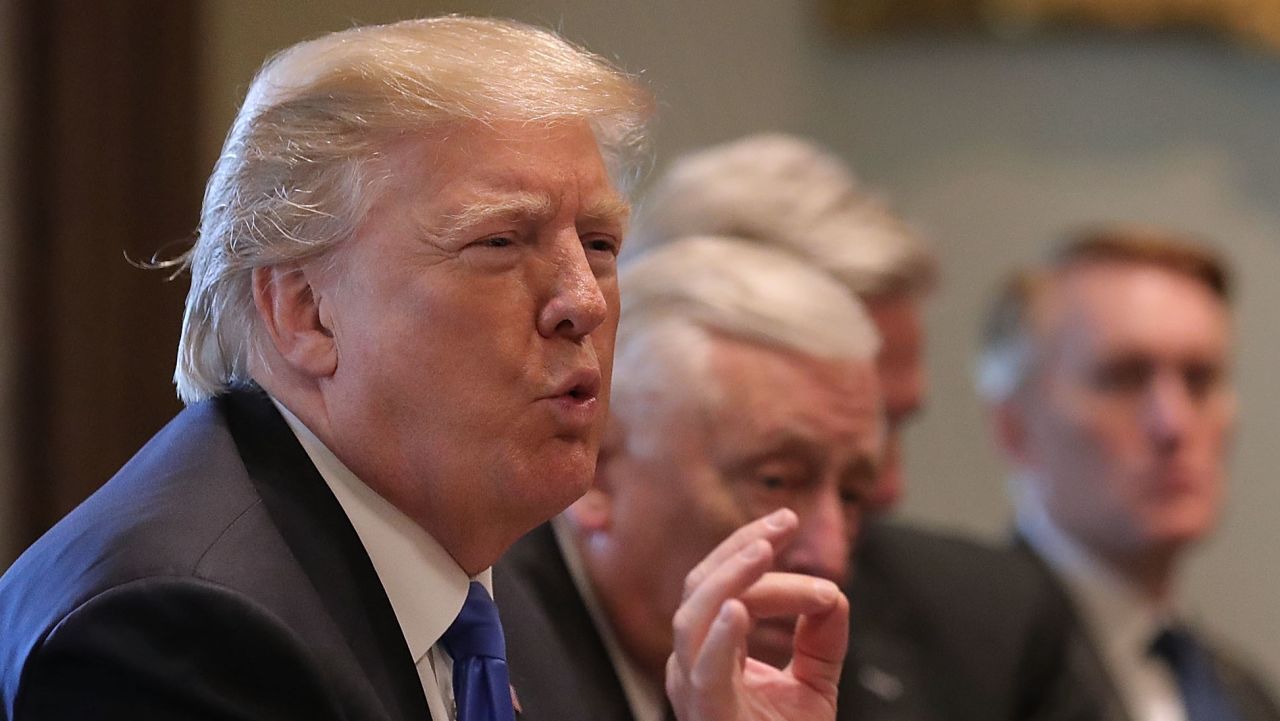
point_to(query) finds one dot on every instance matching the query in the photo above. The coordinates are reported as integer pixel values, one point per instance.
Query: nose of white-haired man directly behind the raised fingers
(825, 540)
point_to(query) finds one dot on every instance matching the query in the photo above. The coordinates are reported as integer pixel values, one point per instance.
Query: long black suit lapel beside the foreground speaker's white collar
(327, 547)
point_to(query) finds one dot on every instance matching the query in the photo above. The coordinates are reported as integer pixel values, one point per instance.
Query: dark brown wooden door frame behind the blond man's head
(108, 168)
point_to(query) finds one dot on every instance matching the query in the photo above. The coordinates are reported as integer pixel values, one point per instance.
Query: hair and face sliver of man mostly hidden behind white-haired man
(788, 193)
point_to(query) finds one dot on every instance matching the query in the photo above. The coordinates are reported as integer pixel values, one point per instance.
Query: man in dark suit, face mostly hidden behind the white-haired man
(944, 628)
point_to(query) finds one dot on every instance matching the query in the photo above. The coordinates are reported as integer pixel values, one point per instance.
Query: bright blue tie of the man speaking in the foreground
(481, 685)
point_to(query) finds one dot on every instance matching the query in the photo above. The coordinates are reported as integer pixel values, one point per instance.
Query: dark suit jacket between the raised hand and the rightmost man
(944, 629)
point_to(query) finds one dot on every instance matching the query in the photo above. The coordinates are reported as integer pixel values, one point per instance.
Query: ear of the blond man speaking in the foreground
(291, 311)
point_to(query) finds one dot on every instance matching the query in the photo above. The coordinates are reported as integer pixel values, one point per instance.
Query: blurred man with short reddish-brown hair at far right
(1108, 372)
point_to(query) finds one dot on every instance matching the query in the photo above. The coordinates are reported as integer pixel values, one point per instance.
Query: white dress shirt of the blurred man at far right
(1119, 619)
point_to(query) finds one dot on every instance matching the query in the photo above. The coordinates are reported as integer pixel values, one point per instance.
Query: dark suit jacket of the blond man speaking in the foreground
(216, 577)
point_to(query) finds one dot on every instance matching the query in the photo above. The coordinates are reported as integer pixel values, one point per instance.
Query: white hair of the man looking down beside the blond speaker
(680, 296)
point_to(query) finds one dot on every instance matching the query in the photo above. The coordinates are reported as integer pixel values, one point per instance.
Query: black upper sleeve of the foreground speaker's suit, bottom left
(173, 649)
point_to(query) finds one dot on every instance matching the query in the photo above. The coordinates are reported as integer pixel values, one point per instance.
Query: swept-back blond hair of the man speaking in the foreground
(299, 168)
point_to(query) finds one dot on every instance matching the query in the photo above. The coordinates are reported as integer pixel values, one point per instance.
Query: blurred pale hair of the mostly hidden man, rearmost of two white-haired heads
(784, 191)
